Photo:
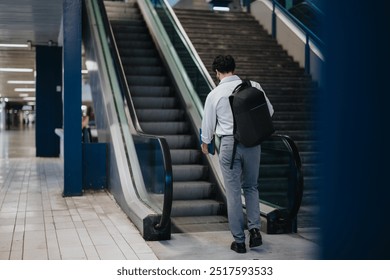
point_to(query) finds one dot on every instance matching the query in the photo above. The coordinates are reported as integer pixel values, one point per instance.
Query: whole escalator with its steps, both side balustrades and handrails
(151, 106)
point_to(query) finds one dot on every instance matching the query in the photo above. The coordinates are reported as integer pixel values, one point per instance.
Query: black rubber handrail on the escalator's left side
(166, 156)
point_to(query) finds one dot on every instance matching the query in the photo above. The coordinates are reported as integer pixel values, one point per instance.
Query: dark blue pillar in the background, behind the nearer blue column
(48, 100)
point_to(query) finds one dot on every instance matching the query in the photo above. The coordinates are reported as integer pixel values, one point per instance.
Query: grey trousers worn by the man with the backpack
(243, 176)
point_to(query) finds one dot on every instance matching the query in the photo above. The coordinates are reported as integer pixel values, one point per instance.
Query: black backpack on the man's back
(252, 119)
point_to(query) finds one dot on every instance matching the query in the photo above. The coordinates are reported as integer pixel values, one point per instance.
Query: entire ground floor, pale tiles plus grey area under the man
(37, 222)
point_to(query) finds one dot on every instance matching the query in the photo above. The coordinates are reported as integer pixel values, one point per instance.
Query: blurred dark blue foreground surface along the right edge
(353, 111)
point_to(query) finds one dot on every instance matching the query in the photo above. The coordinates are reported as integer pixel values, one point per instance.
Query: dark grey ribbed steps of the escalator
(196, 202)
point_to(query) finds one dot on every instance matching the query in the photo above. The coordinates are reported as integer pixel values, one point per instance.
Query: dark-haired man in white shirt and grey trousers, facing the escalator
(244, 171)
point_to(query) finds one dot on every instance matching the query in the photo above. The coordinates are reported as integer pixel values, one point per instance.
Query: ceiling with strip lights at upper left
(37, 21)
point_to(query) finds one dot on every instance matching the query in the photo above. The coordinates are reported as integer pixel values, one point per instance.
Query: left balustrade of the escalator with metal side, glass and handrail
(129, 148)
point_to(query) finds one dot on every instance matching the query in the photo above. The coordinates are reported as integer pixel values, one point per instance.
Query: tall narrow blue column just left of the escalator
(72, 97)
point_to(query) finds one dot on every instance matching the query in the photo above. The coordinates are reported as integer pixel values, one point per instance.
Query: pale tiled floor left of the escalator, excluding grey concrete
(37, 222)
